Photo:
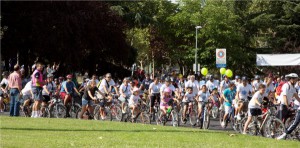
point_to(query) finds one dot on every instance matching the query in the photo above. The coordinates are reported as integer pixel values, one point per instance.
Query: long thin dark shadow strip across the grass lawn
(109, 130)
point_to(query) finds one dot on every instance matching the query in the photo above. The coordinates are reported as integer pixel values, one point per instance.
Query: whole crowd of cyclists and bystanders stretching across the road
(242, 102)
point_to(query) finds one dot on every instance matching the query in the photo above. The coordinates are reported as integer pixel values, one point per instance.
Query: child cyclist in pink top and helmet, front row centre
(166, 102)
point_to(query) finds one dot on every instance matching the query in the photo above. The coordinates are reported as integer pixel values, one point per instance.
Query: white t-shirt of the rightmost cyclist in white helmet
(288, 90)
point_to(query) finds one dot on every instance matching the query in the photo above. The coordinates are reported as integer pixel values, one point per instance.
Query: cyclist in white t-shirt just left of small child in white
(125, 91)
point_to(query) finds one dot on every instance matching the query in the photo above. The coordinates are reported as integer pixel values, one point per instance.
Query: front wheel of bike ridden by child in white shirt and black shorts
(275, 127)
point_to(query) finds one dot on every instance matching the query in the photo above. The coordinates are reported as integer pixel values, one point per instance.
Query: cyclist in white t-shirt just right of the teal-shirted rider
(243, 93)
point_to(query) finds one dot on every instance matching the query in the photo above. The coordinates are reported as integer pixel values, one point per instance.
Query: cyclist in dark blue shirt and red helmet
(67, 91)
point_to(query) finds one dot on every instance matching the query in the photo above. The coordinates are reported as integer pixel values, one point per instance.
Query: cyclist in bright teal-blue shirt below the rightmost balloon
(228, 96)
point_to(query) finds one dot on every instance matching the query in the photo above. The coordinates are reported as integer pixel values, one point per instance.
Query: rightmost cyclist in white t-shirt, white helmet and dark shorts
(288, 92)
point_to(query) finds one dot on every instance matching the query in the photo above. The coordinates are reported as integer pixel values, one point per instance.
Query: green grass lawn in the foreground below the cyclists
(43, 132)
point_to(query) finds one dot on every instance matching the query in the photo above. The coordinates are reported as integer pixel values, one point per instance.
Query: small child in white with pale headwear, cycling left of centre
(133, 102)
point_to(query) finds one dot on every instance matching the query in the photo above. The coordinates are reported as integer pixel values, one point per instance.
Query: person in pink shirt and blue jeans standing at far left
(15, 85)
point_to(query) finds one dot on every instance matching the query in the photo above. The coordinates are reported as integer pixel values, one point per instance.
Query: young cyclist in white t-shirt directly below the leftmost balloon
(203, 98)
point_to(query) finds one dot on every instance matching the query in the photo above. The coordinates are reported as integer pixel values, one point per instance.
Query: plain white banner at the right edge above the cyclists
(277, 59)
